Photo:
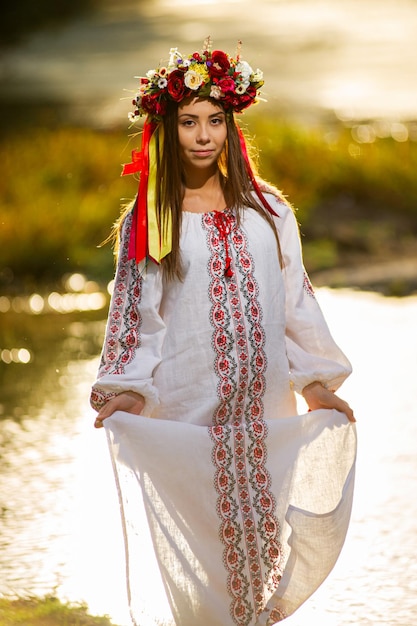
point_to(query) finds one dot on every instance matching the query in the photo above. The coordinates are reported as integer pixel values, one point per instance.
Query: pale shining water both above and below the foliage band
(59, 520)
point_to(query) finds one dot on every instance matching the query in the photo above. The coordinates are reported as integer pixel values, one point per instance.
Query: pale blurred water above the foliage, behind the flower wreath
(357, 58)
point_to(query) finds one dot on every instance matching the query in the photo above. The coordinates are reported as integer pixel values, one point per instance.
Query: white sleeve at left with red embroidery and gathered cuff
(134, 333)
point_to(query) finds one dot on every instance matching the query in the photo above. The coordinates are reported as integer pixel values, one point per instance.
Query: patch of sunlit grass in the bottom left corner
(47, 611)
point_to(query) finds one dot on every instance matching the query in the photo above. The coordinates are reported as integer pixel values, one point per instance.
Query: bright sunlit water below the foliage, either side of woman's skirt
(60, 528)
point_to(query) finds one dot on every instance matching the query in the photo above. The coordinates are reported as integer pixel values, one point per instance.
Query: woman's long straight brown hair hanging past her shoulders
(234, 178)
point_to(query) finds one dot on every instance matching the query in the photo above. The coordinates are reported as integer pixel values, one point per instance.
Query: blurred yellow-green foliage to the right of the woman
(355, 200)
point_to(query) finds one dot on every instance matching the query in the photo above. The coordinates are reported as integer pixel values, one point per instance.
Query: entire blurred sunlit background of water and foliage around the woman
(341, 82)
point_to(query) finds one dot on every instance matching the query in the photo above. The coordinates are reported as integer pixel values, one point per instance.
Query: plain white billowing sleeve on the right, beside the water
(313, 354)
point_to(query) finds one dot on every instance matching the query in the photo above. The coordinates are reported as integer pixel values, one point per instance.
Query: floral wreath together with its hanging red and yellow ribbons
(230, 81)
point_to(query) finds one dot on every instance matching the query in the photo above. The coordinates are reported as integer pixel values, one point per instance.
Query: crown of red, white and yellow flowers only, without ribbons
(209, 74)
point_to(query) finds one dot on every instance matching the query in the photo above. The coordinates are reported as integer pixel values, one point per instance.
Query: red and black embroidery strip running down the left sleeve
(123, 327)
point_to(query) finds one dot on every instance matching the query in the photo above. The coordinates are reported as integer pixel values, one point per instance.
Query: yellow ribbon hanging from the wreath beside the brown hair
(159, 235)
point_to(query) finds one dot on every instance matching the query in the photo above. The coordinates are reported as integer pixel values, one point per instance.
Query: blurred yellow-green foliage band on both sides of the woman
(61, 190)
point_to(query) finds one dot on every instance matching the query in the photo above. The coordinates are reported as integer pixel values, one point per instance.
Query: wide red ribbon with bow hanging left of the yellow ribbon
(138, 244)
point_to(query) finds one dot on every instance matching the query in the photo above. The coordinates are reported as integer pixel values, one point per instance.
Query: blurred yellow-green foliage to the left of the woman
(59, 194)
